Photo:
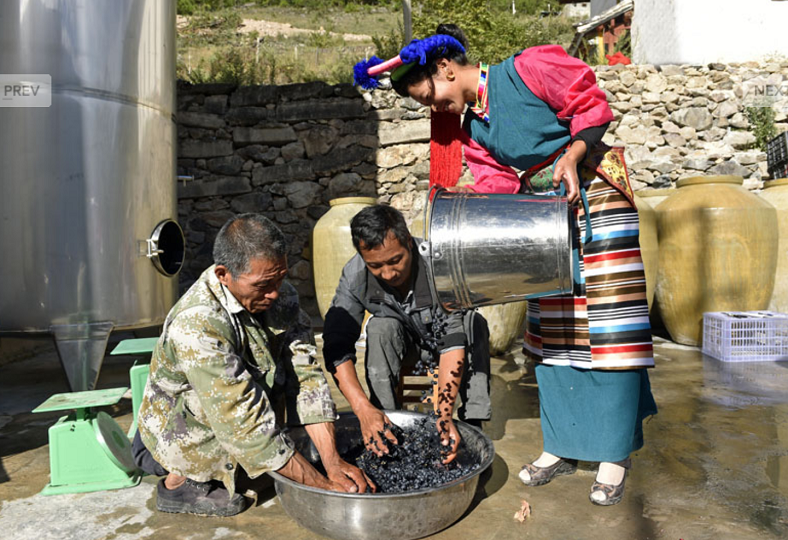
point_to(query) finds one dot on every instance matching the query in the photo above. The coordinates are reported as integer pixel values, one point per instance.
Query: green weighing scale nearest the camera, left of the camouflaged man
(88, 451)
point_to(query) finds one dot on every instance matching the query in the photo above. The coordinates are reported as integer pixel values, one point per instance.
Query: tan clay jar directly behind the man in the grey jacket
(332, 246)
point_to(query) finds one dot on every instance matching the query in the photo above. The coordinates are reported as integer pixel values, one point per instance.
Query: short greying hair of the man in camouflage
(246, 237)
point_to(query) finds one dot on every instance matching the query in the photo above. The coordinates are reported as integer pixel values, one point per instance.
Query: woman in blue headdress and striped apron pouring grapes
(541, 112)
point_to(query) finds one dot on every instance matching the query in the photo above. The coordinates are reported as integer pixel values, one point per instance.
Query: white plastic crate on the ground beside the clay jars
(745, 336)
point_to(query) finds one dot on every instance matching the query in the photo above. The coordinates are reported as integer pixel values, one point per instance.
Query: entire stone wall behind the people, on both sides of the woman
(287, 151)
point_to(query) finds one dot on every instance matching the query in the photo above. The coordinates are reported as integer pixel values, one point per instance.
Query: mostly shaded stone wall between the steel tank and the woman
(286, 152)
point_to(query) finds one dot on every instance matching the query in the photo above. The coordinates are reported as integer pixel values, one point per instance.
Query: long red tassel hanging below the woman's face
(445, 149)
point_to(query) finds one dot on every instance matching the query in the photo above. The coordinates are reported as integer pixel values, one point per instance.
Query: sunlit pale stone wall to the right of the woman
(679, 121)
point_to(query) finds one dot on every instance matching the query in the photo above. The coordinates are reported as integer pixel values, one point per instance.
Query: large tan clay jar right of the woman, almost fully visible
(717, 252)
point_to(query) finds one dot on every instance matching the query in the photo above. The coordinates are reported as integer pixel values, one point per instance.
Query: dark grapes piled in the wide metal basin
(415, 463)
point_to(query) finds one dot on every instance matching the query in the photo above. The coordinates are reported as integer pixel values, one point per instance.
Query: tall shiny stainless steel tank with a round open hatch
(87, 199)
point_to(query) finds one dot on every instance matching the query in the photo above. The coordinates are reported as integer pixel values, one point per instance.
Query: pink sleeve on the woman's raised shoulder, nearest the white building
(565, 83)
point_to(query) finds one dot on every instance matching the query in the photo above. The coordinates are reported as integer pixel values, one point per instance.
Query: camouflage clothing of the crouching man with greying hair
(218, 373)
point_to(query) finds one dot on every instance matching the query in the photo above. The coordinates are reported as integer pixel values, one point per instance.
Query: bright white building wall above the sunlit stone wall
(703, 31)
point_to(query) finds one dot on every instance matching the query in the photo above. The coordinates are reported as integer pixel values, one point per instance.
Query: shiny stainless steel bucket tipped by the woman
(492, 249)
